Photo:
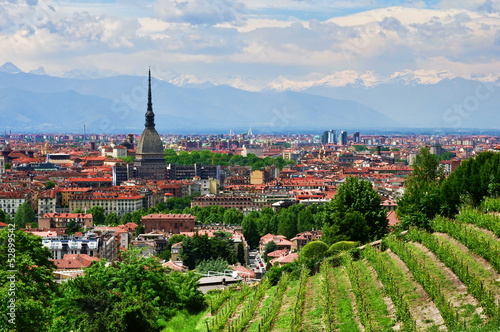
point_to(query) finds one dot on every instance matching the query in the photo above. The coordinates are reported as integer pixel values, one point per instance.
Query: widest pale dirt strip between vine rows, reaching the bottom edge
(423, 310)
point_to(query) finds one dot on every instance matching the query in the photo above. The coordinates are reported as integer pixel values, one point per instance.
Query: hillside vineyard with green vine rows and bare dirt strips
(445, 280)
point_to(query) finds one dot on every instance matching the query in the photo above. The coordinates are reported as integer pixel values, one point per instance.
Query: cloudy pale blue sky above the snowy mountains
(253, 44)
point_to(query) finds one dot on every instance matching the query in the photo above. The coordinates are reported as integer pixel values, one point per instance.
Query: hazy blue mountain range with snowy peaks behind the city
(37, 102)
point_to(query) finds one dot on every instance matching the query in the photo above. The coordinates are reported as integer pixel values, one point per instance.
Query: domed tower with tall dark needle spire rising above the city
(150, 156)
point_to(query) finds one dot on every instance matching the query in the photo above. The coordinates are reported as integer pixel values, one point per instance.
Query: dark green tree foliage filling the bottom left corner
(34, 285)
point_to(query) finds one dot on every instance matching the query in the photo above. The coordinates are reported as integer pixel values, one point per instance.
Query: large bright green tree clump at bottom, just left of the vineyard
(133, 295)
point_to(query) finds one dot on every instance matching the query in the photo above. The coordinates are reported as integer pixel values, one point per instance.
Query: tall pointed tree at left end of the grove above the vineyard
(421, 200)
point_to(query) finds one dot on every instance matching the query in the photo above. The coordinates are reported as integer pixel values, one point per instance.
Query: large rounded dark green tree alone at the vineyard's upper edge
(354, 214)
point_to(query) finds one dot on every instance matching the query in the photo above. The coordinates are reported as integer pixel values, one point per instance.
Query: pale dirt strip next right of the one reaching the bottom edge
(457, 294)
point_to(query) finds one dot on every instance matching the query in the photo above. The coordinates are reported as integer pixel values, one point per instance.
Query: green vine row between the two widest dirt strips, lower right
(427, 274)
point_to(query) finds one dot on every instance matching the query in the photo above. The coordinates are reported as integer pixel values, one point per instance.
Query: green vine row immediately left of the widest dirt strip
(396, 284)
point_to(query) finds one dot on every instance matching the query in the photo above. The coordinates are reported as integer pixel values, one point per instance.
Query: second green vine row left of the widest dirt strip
(369, 298)
